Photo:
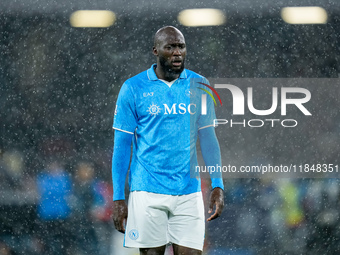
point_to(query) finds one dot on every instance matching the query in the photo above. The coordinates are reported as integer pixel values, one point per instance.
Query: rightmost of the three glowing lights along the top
(304, 15)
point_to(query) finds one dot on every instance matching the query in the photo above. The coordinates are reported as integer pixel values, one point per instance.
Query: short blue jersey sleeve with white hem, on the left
(125, 116)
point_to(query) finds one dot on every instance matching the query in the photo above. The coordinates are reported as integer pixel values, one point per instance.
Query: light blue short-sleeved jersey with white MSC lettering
(165, 119)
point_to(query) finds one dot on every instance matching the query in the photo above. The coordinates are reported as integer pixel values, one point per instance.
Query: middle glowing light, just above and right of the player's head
(201, 17)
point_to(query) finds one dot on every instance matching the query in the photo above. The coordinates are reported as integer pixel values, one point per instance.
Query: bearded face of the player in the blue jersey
(171, 52)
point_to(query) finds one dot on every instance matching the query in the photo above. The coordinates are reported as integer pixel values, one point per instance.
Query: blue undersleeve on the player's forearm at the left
(120, 163)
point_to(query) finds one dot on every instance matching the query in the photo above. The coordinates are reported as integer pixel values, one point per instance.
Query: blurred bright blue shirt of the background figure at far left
(54, 190)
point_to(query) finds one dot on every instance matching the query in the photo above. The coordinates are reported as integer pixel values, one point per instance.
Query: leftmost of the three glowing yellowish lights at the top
(92, 18)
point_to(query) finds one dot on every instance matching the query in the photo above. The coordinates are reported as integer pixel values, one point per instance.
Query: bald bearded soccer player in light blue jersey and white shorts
(159, 111)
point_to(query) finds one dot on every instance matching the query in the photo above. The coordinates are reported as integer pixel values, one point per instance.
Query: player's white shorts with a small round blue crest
(155, 220)
